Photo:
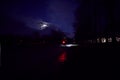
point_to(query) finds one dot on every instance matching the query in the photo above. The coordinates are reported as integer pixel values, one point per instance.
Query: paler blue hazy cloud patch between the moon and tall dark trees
(61, 12)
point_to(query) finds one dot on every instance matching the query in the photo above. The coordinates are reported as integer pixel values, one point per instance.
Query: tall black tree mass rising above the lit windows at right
(96, 17)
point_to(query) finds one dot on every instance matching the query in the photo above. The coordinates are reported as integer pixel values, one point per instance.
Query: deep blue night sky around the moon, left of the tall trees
(58, 12)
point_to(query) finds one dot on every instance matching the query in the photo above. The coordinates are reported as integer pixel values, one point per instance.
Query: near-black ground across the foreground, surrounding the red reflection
(36, 62)
